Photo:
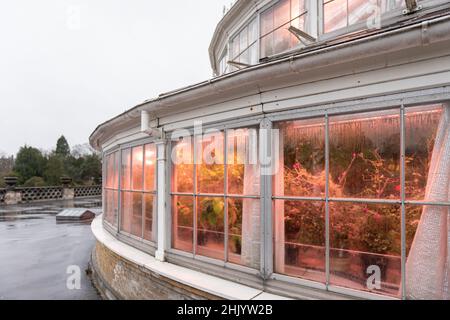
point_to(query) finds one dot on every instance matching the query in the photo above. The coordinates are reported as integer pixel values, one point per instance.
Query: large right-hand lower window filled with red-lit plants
(364, 193)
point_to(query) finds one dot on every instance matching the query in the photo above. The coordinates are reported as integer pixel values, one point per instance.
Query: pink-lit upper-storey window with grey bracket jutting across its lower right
(275, 24)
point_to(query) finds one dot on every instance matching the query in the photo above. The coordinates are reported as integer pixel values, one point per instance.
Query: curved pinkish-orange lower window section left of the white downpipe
(131, 208)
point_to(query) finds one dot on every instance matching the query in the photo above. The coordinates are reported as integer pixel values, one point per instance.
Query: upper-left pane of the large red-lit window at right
(302, 163)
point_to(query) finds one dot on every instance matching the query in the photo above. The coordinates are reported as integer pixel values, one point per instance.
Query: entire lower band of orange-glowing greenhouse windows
(352, 194)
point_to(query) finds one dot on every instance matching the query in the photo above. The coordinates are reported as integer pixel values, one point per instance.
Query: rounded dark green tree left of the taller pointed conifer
(30, 162)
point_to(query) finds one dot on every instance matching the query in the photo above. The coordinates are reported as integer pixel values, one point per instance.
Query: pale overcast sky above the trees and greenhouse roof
(68, 65)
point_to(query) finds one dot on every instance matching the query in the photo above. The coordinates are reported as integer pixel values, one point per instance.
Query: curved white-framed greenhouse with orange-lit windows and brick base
(315, 164)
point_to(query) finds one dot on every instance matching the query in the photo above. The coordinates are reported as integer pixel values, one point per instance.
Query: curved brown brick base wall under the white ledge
(117, 278)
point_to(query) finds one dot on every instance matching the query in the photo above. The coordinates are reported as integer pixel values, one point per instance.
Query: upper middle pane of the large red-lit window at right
(365, 155)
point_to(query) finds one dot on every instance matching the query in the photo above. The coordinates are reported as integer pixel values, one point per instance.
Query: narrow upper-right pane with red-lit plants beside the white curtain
(421, 129)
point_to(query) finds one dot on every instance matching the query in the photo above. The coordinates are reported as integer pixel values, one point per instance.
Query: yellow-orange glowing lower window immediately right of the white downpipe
(215, 203)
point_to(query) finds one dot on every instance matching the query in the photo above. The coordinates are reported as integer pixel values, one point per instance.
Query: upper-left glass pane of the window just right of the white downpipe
(183, 167)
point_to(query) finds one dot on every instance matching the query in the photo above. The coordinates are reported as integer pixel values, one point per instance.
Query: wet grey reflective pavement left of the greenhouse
(36, 252)
